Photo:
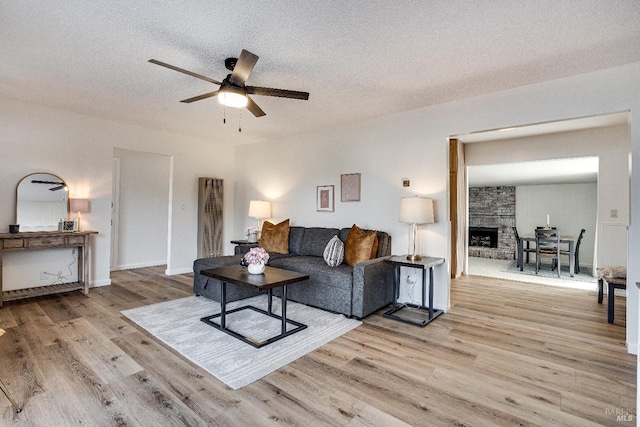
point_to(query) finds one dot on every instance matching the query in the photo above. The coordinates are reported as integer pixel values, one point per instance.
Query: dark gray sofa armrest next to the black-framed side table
(372, 286)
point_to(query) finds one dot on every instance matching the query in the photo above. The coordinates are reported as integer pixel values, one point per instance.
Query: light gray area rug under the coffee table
(177, 324)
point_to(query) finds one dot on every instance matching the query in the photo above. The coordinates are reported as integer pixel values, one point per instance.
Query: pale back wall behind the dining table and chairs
(571, 207)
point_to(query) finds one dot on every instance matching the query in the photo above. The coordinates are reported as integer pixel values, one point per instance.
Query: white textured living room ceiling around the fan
(357, 59)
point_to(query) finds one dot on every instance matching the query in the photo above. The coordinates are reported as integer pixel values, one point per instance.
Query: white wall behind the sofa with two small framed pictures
(413, 144)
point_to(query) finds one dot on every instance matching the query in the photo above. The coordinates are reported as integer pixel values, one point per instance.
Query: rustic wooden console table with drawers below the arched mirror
(46, 240)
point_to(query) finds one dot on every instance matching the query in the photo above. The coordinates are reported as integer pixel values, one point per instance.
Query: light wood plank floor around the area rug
(508, 353)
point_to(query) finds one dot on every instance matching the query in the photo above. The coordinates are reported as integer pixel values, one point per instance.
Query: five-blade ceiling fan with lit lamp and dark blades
(233, 92)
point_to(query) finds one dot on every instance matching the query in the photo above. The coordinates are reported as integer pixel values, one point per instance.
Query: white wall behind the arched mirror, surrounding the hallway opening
(79, 148)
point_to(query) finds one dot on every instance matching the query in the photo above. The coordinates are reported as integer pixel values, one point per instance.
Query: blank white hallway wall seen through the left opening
(144, 209)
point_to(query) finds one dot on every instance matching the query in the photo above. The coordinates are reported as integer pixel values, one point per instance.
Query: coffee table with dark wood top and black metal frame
(270, 279)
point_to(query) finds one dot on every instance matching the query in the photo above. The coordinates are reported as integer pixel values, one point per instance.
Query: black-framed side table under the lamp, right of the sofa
(426, 263)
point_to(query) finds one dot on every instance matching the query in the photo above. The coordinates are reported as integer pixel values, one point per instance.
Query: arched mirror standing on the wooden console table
(42, 200)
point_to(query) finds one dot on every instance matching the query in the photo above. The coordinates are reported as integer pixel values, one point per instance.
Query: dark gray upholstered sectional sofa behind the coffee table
(353, 291)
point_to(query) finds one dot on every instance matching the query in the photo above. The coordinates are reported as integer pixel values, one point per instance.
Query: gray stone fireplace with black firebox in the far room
(492, 214)
